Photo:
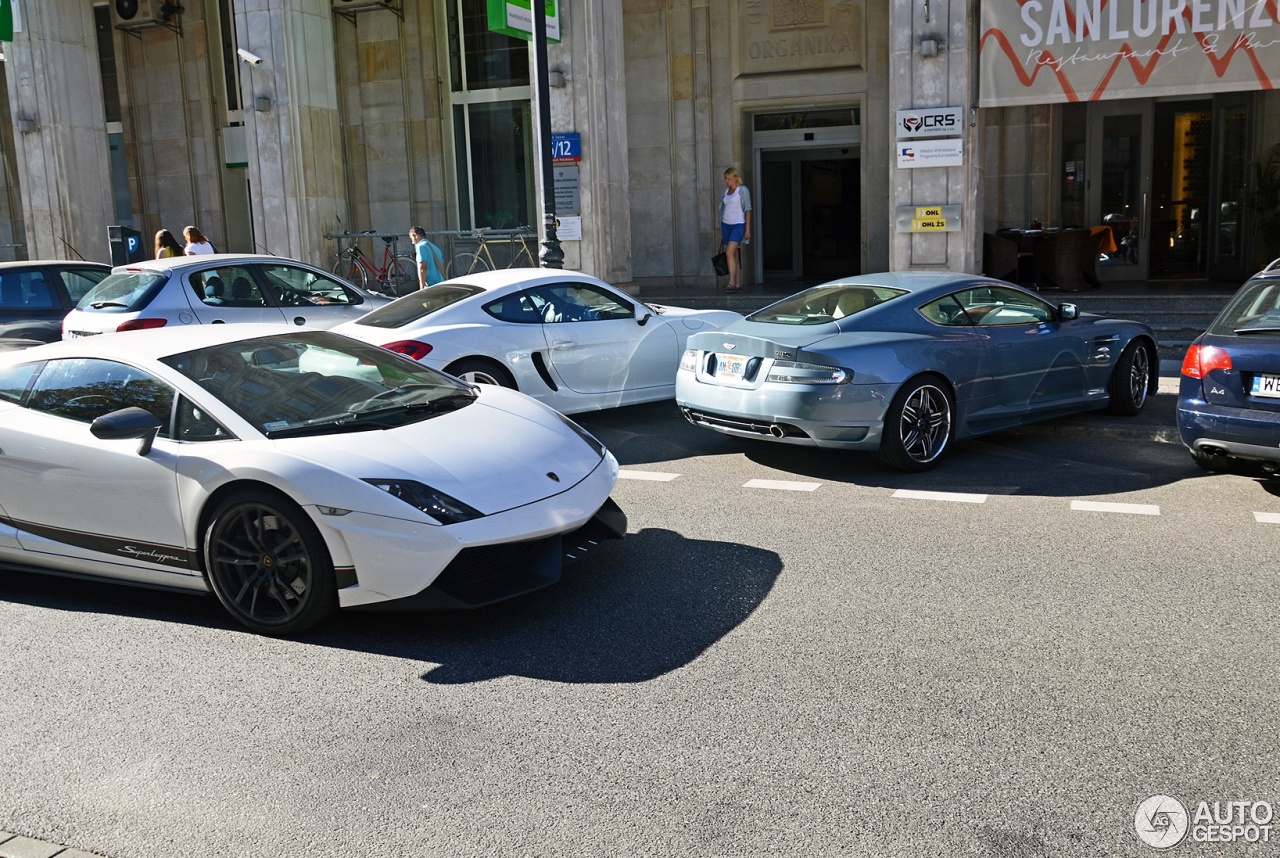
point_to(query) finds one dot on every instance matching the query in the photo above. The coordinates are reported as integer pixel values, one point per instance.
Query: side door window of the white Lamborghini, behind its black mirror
(85, 389)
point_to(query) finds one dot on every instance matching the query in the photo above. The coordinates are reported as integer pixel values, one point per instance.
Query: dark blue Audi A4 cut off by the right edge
(1229, 395)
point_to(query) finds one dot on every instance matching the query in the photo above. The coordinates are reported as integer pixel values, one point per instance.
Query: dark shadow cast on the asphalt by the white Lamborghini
(630, 613)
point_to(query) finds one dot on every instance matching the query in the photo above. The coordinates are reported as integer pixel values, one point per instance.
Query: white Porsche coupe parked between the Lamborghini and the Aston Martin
(563, 337)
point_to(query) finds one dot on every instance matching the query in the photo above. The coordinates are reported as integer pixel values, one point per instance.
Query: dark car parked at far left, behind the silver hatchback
(35, 296)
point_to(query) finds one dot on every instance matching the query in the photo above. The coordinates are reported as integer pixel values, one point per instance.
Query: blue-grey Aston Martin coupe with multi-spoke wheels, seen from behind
(903, 364)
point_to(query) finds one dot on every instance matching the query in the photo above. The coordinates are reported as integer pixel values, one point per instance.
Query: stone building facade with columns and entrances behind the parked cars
(275, 124)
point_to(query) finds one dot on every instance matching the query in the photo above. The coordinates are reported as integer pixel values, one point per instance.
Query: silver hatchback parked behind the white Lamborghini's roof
(218, 289)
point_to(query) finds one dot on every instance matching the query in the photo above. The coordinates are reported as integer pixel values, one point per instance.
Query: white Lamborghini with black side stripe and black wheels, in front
(290, 472)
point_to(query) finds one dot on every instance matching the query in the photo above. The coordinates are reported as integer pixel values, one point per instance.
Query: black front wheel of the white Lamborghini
(268, 565)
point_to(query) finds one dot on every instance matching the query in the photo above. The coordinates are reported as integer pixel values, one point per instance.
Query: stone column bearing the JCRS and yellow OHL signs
(943, 81)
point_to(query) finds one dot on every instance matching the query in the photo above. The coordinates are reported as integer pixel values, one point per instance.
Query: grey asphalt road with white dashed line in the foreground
(1002, 658)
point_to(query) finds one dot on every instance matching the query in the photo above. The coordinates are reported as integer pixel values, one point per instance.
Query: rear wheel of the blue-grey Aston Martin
(918, 426)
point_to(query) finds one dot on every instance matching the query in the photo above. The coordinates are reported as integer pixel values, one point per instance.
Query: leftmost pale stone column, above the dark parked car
(56, 97)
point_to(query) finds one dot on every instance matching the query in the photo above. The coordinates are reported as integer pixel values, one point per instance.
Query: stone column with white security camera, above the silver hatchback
(292, 125)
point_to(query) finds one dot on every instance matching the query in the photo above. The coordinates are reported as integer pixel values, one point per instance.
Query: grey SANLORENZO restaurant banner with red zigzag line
(1036, 52)
